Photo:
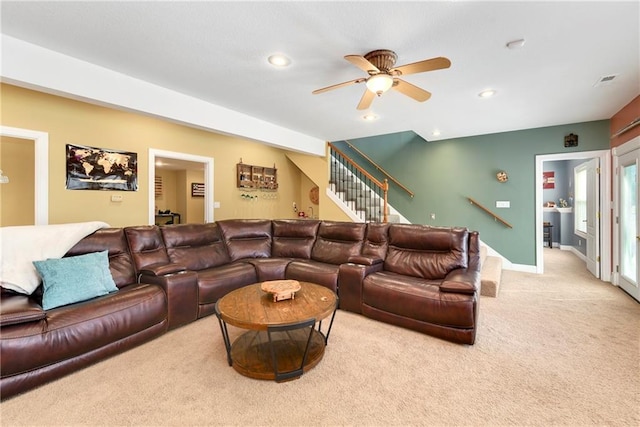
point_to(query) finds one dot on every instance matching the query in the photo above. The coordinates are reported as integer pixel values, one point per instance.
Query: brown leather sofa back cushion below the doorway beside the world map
(196, 246)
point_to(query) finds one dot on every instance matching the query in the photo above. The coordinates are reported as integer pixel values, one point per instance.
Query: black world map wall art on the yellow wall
(91, 168)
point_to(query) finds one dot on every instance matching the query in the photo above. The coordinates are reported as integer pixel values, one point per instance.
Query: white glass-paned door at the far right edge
(626, 245)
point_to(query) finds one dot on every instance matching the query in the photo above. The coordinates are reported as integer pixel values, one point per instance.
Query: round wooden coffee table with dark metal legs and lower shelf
(282, 341)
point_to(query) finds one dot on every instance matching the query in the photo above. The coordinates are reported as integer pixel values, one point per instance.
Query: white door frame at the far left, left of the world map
(41, 174)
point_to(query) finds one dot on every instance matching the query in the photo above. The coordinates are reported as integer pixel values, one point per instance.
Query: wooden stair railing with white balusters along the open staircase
(352, 174)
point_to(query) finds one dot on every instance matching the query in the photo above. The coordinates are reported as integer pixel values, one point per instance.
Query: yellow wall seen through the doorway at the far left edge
(17, 197)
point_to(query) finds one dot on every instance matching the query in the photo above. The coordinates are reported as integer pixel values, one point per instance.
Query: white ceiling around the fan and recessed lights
(217, 52)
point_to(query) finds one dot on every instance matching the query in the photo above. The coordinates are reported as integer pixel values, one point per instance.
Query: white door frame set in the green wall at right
(604, 205)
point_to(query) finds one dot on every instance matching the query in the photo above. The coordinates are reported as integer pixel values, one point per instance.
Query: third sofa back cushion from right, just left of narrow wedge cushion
(337, 241)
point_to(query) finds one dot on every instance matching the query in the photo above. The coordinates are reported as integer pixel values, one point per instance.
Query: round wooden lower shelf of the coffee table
(254, 355)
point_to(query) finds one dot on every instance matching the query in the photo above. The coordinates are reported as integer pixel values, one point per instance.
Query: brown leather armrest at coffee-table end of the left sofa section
(182, 295)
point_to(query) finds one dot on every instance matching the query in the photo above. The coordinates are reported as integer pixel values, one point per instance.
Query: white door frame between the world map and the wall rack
(208, 180)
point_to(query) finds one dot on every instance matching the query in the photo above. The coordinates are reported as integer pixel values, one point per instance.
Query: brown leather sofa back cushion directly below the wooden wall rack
(247, 238)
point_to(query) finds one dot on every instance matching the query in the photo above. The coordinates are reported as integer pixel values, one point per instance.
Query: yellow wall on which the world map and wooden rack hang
(69, 121)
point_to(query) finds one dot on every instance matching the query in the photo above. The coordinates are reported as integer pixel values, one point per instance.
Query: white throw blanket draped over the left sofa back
(21, 245)
